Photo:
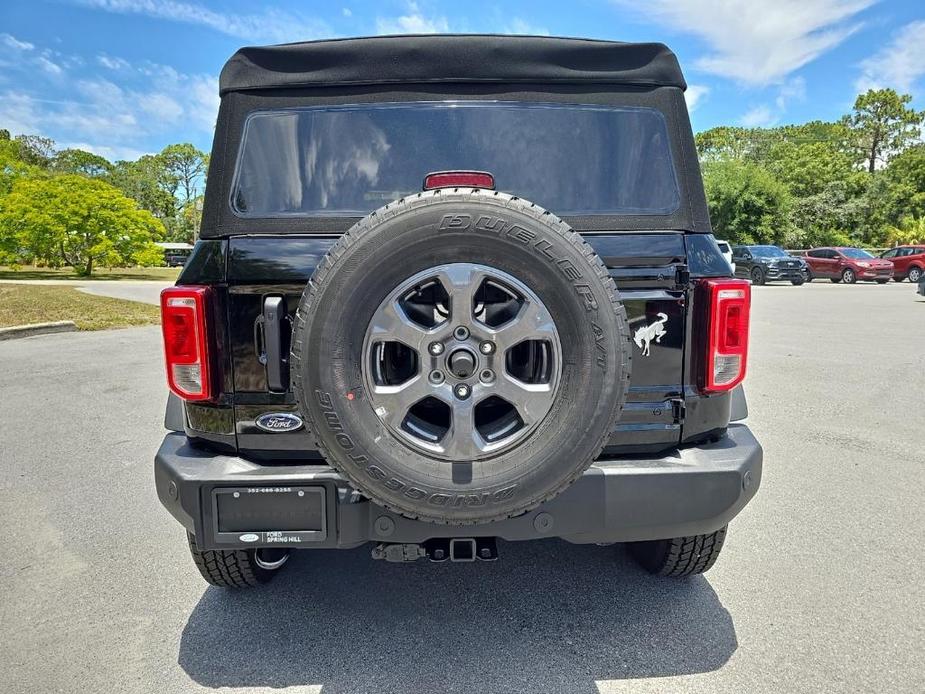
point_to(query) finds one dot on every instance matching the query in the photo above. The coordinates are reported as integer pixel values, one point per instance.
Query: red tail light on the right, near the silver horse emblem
(728, 306)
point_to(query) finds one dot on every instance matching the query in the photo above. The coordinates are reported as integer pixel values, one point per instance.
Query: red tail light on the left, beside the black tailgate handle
(186, 344)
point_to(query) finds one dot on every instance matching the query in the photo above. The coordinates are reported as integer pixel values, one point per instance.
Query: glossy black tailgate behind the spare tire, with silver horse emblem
(649, 269)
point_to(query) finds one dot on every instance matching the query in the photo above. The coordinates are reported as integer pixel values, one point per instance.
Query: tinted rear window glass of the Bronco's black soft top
(349, 160)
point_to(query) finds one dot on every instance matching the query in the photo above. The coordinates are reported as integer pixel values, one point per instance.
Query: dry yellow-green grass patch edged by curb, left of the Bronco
(30, 303)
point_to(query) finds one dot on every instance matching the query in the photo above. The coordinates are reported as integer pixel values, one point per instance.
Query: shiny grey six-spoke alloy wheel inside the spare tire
(462, 361)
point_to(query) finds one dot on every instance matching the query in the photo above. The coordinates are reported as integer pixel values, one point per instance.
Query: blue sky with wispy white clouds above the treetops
(127, 77)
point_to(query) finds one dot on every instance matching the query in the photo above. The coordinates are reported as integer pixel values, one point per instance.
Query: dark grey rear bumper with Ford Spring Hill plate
(689, 491)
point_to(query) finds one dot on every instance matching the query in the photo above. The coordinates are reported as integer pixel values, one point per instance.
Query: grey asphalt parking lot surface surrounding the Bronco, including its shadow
(819, 589)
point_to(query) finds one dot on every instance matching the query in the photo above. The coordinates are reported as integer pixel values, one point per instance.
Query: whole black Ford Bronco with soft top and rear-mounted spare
(451, 289)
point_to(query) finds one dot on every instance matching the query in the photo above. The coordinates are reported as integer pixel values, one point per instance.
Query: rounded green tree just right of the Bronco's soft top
(747, 203)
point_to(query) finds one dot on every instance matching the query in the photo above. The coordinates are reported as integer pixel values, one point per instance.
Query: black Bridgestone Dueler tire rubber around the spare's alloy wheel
(416, 234)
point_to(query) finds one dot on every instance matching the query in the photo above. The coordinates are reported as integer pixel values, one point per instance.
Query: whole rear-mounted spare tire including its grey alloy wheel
(461, 356)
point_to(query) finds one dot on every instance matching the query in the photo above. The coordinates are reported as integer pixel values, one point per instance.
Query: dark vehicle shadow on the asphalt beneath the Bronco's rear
(548, 616)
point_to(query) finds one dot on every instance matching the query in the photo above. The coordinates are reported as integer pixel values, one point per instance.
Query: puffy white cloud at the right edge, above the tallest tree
(899, 64)
